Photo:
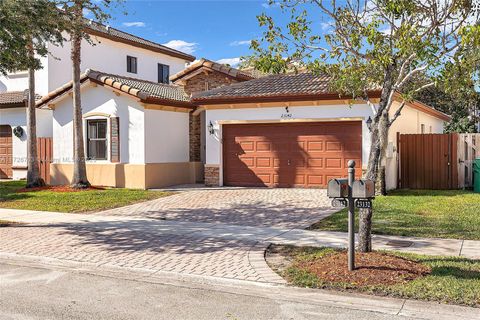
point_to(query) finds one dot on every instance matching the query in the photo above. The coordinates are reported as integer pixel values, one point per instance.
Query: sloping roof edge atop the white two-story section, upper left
(98, 29)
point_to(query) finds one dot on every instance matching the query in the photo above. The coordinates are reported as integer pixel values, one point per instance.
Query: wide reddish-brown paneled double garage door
(289, 155)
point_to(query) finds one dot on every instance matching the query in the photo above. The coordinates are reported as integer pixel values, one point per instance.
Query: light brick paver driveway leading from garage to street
(177, 233)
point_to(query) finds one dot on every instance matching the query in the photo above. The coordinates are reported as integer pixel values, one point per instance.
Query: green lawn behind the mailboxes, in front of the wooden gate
(421, 213)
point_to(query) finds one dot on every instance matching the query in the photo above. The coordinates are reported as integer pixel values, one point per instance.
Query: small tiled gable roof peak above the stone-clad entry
(208, 65)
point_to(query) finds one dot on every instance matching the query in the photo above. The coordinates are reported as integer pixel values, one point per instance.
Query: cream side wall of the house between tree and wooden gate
(409, 122)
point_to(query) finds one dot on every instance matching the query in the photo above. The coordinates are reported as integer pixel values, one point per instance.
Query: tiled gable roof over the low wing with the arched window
(146, 91)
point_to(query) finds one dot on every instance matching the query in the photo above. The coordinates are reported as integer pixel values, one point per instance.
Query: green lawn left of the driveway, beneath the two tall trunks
(82, 201)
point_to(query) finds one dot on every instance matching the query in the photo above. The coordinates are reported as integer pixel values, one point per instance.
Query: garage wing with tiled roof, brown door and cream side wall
(292, 131)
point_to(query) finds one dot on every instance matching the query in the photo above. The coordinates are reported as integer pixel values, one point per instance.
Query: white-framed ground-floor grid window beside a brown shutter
(97, 139)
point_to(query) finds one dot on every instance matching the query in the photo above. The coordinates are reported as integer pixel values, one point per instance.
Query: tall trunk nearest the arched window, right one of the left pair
(79, 168)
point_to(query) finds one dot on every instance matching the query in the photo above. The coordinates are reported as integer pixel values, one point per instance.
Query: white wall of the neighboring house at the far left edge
(17, 117)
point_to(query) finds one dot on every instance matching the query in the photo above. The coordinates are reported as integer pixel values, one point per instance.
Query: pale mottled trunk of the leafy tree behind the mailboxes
(379, 139)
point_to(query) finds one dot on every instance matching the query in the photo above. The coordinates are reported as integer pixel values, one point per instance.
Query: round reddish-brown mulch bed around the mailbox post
(374, 268)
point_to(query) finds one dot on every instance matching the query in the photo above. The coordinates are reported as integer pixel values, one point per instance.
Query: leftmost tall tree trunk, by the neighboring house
(33, 171)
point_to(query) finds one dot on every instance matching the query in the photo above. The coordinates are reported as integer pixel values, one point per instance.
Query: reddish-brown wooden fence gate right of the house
(428, 161)
